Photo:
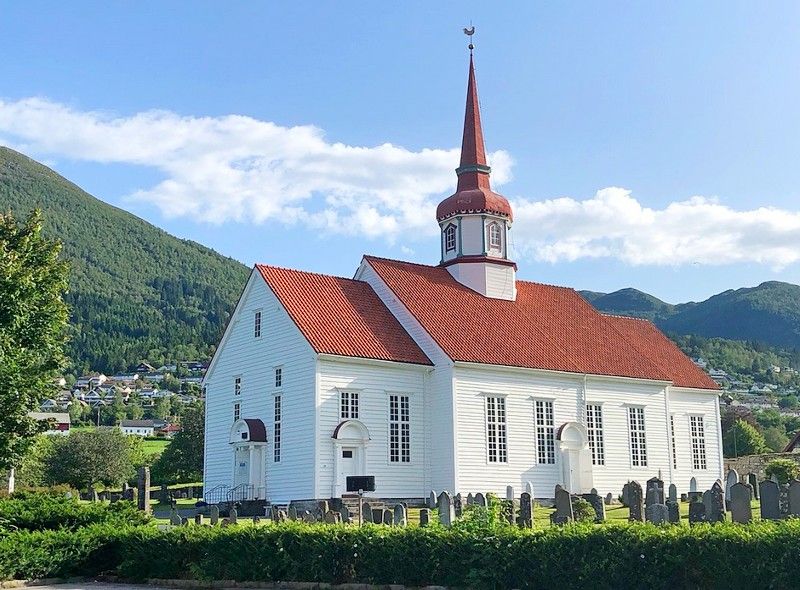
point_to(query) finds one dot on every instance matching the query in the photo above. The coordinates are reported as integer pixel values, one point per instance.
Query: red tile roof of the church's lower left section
(341, 316)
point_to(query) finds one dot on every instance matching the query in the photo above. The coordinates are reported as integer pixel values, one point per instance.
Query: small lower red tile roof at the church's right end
(652, 343)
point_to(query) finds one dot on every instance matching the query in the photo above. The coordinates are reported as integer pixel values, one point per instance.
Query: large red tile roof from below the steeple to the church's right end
(547, 327)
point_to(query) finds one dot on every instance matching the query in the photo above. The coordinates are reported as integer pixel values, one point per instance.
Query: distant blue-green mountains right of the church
(768, 313)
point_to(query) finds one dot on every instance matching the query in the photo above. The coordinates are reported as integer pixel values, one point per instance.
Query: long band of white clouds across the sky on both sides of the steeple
(236, 168)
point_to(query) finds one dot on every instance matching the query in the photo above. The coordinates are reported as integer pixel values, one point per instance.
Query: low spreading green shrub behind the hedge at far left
(38, 512)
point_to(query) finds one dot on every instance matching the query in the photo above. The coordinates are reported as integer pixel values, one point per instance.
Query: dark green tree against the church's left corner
(182, 460)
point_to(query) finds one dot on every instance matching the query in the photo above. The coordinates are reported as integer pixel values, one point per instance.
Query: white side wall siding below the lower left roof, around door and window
(374, 382)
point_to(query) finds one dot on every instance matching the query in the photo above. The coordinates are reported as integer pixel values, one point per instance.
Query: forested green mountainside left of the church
(136, 292)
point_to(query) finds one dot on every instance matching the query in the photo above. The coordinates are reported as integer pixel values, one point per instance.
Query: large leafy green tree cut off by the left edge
(33, 328)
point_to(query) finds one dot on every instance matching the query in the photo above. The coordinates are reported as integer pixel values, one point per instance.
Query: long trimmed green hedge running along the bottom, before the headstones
(763, 554)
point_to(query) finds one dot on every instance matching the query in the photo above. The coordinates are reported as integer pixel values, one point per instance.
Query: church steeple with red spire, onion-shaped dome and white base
(475, 221)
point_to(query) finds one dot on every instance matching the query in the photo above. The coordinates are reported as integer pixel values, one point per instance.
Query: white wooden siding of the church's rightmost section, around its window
(682, 404)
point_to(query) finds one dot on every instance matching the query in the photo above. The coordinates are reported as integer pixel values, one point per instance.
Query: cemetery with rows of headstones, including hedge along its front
(647, 532)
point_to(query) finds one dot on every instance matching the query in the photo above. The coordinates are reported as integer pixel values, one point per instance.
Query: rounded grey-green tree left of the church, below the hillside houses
(86, 458)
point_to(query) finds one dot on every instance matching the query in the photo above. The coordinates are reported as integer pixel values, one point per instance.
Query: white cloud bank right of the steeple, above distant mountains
(613, 224)
